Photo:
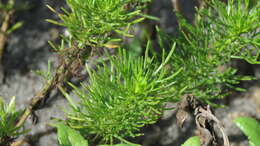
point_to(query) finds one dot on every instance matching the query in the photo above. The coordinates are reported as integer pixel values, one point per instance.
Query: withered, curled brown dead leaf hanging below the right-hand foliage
(204, 118)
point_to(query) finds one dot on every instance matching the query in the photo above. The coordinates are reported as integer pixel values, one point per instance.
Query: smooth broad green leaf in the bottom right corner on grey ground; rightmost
(251, 129)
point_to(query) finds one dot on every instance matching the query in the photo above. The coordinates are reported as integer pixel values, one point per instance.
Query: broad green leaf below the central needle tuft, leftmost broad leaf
(69, 137)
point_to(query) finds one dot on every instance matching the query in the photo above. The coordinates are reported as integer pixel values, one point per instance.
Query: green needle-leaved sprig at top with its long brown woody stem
(77, 47)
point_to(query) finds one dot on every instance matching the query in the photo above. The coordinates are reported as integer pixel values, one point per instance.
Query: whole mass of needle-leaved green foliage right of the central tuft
(204, 50)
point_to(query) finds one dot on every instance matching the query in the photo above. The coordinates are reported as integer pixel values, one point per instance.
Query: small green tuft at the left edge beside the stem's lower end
(8, 118)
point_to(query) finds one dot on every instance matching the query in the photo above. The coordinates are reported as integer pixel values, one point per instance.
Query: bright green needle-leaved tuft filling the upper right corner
(236, 29)
